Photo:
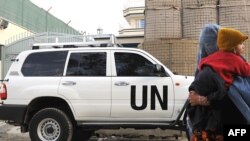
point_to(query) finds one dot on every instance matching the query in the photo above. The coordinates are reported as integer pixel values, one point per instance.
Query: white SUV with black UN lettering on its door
(66, 94)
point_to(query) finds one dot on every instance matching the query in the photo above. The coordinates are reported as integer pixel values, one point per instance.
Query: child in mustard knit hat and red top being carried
(231, 66)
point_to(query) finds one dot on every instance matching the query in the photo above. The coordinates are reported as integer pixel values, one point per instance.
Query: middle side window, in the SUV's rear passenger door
(87, 64)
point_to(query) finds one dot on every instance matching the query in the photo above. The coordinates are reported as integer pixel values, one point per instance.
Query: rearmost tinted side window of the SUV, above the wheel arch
(44, 64)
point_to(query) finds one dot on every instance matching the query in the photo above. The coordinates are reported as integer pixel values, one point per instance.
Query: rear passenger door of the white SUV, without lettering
(87, 83)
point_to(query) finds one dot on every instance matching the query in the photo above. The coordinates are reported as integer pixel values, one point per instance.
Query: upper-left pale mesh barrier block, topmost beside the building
(159, 26)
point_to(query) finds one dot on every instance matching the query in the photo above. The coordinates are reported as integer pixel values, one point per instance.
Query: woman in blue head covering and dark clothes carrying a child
(208, 96)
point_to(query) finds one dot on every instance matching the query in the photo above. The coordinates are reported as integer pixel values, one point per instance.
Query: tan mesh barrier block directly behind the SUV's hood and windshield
(177, 54)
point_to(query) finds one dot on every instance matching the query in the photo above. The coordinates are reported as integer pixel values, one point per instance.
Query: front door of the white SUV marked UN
(137, 92)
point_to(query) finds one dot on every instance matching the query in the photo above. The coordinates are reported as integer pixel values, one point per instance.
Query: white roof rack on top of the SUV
(104, 40)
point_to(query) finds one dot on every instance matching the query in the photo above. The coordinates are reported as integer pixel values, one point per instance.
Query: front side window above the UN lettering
(131, 64)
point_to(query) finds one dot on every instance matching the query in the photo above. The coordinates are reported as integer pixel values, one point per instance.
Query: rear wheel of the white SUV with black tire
(50, 124)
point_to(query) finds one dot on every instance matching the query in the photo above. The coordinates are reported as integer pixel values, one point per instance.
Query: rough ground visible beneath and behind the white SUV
(12, 133)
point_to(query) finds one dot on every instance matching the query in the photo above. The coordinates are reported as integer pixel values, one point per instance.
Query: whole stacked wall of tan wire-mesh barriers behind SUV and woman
(173, 28)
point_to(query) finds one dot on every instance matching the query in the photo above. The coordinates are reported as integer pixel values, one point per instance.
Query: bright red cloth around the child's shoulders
(227, 65)
